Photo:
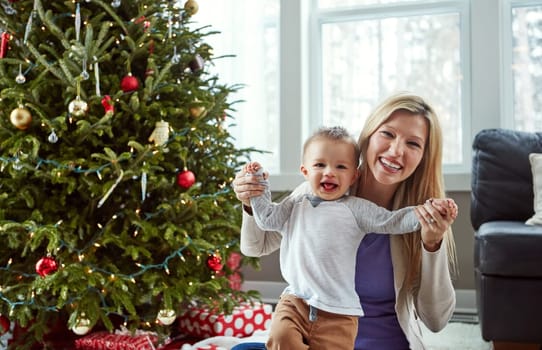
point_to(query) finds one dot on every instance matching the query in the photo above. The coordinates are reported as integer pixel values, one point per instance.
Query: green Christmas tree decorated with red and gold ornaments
(115, 165)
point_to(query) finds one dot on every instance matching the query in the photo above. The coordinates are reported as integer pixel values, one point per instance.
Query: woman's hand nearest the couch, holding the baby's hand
(436, 216)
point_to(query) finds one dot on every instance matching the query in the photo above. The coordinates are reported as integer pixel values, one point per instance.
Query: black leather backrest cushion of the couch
(502, 184)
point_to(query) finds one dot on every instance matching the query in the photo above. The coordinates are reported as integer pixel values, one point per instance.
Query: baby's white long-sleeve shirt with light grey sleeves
(319, 244)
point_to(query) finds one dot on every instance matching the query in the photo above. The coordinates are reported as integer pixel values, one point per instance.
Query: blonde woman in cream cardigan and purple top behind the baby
(399, 279)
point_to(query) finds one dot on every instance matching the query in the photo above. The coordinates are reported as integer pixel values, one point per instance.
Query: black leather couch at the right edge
(507, 252)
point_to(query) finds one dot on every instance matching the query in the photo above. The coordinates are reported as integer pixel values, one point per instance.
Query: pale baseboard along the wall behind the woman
(465, 310)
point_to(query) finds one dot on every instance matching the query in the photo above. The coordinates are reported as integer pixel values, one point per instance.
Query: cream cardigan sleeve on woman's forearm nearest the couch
(435, 300)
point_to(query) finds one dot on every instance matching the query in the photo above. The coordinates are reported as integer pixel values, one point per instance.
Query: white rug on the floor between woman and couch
(456, 336)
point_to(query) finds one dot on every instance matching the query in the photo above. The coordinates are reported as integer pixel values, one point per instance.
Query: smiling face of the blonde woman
(396, 148)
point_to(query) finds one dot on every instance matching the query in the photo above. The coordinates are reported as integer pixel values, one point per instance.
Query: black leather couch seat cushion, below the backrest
(508, 248)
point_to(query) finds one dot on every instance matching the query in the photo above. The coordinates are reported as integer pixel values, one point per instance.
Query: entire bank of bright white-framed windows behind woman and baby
(306, 63)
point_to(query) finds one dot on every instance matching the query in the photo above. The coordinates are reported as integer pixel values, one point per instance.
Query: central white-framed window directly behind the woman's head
(370, 52)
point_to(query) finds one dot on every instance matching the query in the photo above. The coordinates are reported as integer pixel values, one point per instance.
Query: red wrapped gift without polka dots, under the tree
(105, 340)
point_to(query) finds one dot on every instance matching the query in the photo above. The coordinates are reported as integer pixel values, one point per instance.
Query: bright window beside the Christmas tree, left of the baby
(246, 51)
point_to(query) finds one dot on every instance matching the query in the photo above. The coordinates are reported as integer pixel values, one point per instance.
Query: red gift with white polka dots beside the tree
(244, 320)
